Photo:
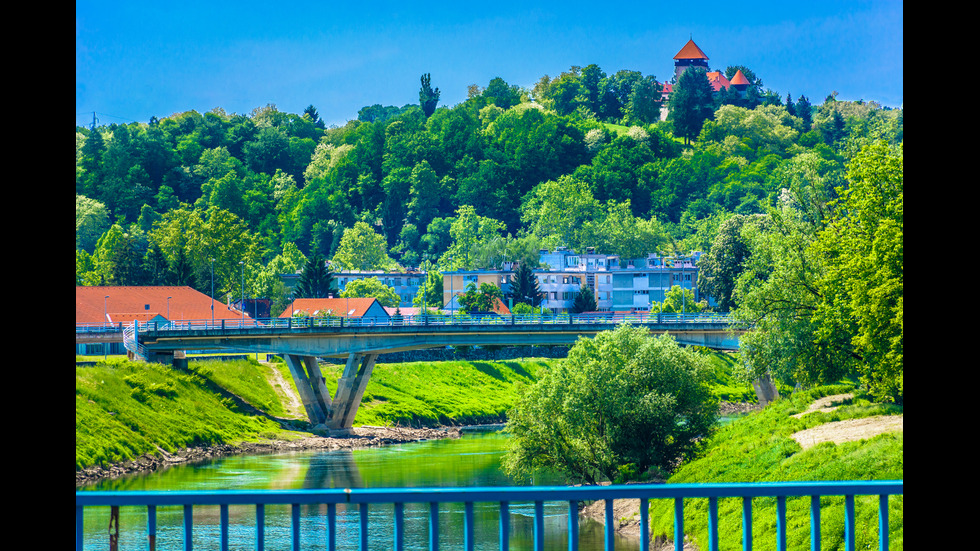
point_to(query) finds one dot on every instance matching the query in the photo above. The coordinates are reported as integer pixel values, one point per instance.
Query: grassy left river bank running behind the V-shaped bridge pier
(126, 409)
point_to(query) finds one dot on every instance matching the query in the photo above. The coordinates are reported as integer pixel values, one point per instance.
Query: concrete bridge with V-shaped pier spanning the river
(302, 340)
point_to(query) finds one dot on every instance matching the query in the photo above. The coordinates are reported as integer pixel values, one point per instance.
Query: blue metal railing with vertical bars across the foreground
(364, 498)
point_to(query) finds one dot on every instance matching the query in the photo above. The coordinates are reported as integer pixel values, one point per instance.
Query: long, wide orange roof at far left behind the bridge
(125, 304)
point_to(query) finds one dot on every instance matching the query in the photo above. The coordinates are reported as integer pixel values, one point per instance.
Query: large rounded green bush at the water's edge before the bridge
(620, 404)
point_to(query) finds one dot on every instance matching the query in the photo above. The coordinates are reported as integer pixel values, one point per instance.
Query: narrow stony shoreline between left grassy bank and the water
(363, 437)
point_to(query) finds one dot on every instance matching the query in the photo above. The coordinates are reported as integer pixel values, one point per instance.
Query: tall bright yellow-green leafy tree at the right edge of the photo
(863, 289)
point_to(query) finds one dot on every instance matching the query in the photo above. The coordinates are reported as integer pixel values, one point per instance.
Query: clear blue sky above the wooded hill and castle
(134, 60)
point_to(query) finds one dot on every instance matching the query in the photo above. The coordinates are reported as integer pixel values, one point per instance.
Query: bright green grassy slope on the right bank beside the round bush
(760, 448)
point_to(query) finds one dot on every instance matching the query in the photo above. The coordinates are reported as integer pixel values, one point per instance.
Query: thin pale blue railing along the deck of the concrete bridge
(611, 319)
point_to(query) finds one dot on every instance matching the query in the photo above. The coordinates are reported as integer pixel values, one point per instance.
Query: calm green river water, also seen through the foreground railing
(473, 460)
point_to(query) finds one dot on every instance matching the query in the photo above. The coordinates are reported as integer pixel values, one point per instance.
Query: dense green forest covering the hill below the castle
(580, 160)
